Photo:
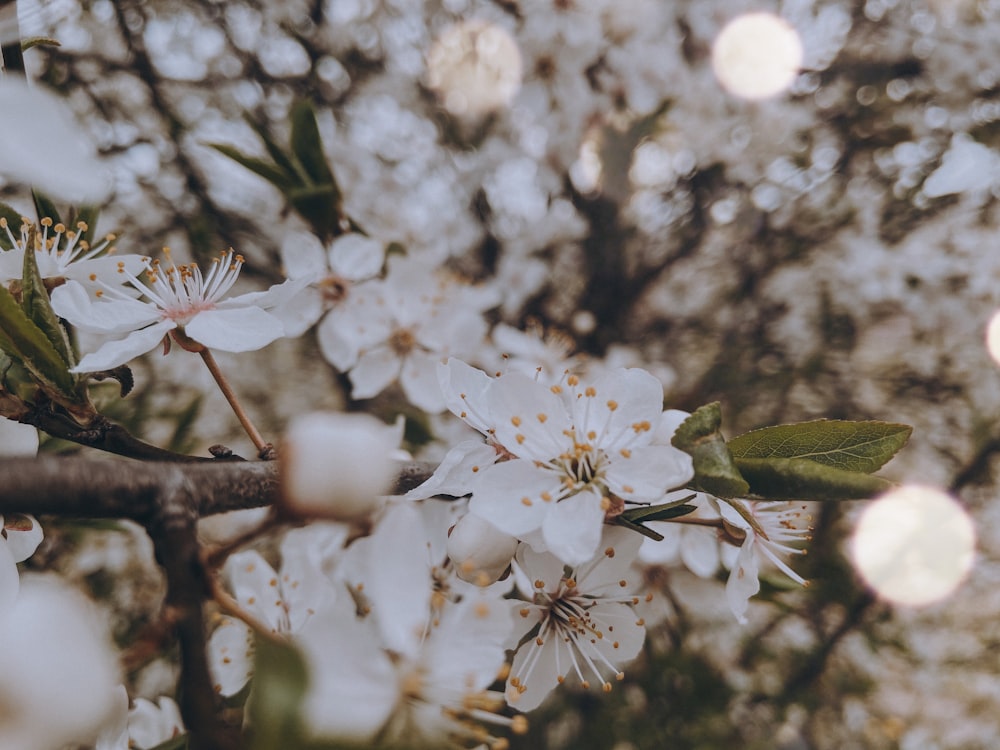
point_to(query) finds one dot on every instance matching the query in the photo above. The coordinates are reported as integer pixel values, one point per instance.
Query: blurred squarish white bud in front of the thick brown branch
(337, 466)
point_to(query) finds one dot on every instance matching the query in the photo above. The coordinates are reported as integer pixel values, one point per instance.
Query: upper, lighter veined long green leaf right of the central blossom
(852, 446)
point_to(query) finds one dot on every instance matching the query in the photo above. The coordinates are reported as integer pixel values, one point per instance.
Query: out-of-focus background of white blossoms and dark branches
(817, 242)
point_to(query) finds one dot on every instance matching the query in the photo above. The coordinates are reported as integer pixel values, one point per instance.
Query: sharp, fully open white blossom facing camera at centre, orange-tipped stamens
(570, 455)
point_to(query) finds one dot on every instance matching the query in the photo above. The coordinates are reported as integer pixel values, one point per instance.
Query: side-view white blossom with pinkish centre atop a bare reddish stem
(181, 300)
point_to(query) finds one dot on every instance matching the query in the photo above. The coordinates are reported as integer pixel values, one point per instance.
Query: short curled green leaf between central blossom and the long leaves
(714, 470)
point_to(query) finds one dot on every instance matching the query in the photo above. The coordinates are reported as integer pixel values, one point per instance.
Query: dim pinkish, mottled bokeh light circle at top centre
(475, 68)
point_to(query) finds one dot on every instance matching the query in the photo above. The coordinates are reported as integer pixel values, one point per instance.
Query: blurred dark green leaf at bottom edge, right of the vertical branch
(280, 680)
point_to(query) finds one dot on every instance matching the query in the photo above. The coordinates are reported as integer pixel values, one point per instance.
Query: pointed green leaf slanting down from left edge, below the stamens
(26, 342)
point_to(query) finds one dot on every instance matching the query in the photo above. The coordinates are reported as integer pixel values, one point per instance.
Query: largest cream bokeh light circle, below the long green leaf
(914, 545)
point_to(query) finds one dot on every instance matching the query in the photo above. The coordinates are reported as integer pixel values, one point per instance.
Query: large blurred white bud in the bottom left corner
(60, 675)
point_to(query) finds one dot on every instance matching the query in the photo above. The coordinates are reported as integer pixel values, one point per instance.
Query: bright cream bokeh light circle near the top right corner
(757, 55)
